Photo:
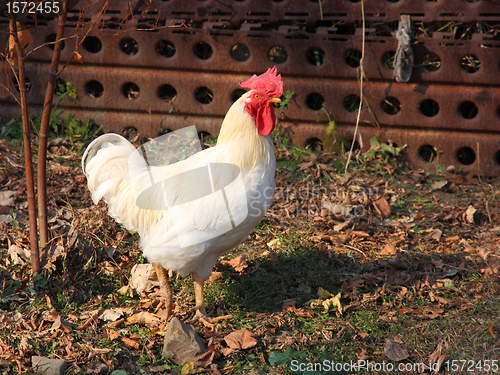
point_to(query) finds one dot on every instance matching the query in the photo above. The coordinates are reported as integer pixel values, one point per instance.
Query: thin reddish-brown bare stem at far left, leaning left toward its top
(30, 185)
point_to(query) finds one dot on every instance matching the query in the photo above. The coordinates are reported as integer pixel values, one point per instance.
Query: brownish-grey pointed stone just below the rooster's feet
(182, 344)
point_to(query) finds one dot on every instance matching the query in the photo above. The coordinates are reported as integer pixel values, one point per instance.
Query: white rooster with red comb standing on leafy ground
(202, 206)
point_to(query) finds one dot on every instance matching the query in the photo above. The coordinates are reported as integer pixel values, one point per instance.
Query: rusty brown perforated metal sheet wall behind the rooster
(299, 29)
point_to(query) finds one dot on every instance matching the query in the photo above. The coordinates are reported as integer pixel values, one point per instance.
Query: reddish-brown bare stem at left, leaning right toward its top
(42, 136)
